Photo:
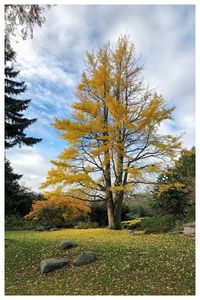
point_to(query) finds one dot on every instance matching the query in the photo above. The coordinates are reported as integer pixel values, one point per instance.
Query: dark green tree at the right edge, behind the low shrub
(176, 199)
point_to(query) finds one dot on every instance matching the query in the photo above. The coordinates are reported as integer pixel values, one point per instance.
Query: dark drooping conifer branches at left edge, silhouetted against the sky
(15, 123)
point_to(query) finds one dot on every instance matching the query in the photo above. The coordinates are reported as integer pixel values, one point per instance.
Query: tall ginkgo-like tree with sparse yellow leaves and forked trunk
(113, 134)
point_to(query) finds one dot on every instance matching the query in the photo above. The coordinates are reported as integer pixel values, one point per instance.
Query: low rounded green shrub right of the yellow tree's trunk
(158, 224)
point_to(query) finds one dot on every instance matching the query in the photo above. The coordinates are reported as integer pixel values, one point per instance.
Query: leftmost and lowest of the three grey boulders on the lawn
(51, 264)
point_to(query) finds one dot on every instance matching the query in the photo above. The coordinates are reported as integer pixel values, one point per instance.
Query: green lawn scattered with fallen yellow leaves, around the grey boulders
(157, 264)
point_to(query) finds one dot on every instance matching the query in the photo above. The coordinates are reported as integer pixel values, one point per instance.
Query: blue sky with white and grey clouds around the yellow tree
(52, 62)
